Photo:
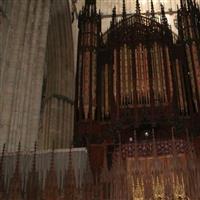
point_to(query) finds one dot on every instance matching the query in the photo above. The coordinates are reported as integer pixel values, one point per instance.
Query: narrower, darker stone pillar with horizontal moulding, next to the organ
(57, 110)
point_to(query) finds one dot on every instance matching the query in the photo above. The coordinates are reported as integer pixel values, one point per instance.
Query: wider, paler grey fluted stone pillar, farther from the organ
(21, 72)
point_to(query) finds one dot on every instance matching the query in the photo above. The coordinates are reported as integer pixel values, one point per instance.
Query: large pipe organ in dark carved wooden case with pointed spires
(137, 77)
